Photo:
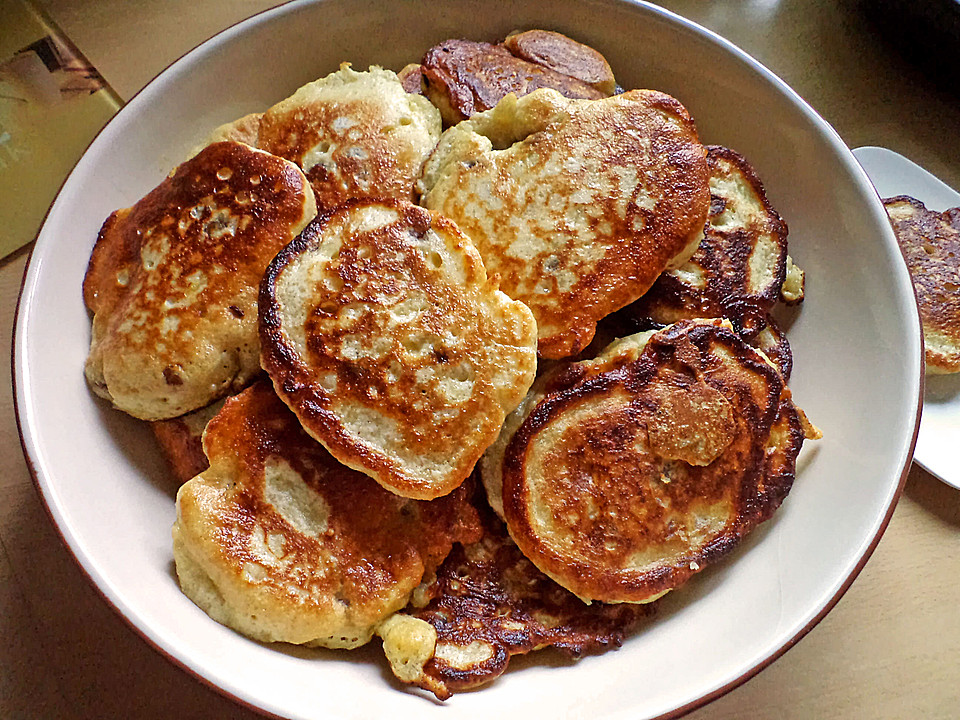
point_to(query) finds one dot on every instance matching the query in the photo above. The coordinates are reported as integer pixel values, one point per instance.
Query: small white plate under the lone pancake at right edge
(936, 450)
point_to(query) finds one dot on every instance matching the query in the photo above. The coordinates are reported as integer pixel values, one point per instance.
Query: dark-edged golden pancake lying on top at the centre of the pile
(382, 331)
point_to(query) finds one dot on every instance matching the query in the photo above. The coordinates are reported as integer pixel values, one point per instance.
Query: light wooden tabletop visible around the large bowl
(889, 649)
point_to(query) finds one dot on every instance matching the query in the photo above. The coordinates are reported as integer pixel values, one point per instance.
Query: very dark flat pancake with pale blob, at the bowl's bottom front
(487, 604)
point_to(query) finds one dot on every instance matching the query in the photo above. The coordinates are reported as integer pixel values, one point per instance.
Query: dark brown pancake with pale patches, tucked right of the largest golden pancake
(740, 266)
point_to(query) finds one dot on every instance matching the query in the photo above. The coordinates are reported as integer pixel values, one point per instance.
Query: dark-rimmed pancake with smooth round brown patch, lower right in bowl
(625, 475)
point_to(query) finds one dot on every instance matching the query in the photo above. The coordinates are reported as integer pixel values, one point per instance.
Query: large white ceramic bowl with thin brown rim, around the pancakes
(858, 331)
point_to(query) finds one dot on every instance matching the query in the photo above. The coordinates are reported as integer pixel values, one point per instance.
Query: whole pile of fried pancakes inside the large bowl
(479, 390)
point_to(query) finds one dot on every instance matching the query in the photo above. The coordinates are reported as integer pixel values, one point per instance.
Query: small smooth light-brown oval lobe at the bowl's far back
(565, 55)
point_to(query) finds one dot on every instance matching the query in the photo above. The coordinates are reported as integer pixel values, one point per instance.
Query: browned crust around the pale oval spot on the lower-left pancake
(375, 539)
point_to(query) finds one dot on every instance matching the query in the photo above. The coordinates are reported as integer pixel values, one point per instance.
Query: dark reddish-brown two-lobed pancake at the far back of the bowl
(464, 77)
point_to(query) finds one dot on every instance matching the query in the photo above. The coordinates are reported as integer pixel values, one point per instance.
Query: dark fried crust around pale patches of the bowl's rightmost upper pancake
(724, 260)
